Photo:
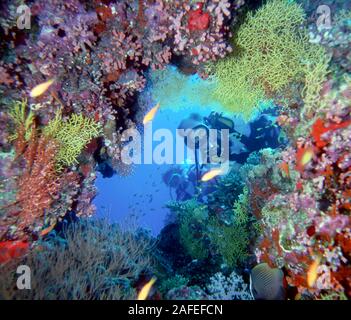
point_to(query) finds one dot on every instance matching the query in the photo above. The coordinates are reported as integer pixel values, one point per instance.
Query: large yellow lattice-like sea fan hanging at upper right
(270, 52)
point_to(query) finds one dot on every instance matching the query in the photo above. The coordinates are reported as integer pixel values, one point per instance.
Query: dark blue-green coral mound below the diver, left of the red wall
(217, 228)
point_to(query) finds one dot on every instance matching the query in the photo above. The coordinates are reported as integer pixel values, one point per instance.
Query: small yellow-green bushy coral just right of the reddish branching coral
(72, 135)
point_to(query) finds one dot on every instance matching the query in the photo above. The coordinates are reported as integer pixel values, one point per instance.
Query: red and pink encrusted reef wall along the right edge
(312, 222)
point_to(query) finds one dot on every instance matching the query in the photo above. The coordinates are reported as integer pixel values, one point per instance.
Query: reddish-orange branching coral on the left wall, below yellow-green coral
(38, 188)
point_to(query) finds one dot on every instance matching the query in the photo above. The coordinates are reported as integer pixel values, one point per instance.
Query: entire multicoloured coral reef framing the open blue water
(108, 63)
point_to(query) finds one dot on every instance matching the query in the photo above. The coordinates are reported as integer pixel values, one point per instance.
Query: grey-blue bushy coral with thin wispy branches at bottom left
(95, 260)
